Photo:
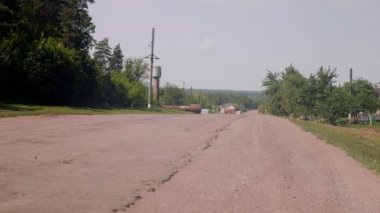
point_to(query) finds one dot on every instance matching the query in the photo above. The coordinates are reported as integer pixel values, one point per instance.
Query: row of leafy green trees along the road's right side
(289, 93)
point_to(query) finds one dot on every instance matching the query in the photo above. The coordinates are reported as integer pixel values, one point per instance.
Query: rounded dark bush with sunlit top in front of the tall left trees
(52, 73)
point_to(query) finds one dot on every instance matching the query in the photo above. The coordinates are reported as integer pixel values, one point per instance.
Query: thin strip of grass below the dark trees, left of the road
(12, 110)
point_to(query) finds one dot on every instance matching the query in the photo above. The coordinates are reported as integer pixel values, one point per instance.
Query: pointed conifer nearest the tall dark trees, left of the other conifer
(102, 55)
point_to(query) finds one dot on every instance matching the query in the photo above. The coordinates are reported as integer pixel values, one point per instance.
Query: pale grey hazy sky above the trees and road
(229, 44)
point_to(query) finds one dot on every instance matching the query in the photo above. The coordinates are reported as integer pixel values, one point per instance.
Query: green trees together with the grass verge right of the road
(323, 109)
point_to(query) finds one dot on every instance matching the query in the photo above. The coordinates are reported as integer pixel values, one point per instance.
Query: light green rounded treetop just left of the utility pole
(135, 69)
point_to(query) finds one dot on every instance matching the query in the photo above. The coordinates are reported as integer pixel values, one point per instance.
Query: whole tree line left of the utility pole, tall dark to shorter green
(45, 59)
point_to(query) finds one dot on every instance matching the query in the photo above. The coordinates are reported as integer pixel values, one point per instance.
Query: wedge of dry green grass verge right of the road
(361, 142)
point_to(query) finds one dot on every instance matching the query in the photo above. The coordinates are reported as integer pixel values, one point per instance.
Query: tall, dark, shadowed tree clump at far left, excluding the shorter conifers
(41, 40)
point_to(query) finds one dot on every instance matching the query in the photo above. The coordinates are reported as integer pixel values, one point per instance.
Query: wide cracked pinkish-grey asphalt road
(176, 163)
